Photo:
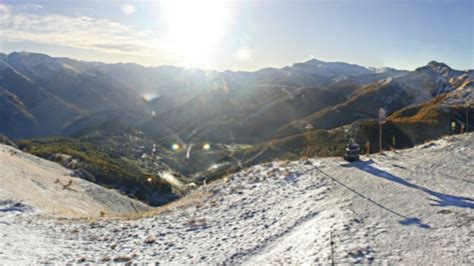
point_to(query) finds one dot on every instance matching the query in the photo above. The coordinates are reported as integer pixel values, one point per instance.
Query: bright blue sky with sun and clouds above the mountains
(244, 35)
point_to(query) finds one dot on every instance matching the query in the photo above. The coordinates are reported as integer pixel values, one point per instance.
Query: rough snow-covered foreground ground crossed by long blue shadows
(406, 207)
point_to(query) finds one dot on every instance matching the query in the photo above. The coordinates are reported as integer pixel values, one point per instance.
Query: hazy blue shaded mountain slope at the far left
(58, 92)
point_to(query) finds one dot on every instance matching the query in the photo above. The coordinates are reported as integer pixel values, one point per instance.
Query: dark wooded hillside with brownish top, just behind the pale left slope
(108, 162)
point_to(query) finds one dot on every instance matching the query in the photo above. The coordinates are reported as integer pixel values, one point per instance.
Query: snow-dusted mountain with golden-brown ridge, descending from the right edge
(392, 94)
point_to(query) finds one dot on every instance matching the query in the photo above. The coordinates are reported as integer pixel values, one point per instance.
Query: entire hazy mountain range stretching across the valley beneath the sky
(61, 96)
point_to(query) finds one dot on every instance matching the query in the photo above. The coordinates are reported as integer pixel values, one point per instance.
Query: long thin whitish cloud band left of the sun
(78, 32)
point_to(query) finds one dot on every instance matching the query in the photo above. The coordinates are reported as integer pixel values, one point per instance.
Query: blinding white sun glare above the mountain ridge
(195, 28)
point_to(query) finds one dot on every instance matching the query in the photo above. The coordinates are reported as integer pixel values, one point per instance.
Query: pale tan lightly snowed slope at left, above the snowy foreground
(55, 190)
